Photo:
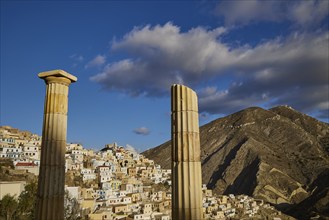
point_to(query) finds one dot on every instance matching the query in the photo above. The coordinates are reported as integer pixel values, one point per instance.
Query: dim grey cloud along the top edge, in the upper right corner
(301, 13)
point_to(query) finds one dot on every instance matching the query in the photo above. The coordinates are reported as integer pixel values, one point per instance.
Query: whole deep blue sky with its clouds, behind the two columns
(126, 54)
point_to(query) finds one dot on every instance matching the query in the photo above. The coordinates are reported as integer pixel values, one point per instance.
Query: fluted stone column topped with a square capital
(50, 195)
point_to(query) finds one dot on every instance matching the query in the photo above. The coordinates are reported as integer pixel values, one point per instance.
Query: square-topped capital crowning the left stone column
(57, 76)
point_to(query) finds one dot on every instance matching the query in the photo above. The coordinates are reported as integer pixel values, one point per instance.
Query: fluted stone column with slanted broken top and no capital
(186, 165)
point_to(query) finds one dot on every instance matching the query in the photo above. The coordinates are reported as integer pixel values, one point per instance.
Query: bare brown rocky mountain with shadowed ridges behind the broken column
(279, 155)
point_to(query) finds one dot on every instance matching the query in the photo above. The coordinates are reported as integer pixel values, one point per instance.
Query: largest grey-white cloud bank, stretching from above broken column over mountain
(292, 70)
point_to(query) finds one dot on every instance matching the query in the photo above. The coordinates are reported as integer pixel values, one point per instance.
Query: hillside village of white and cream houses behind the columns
(116, 183)
